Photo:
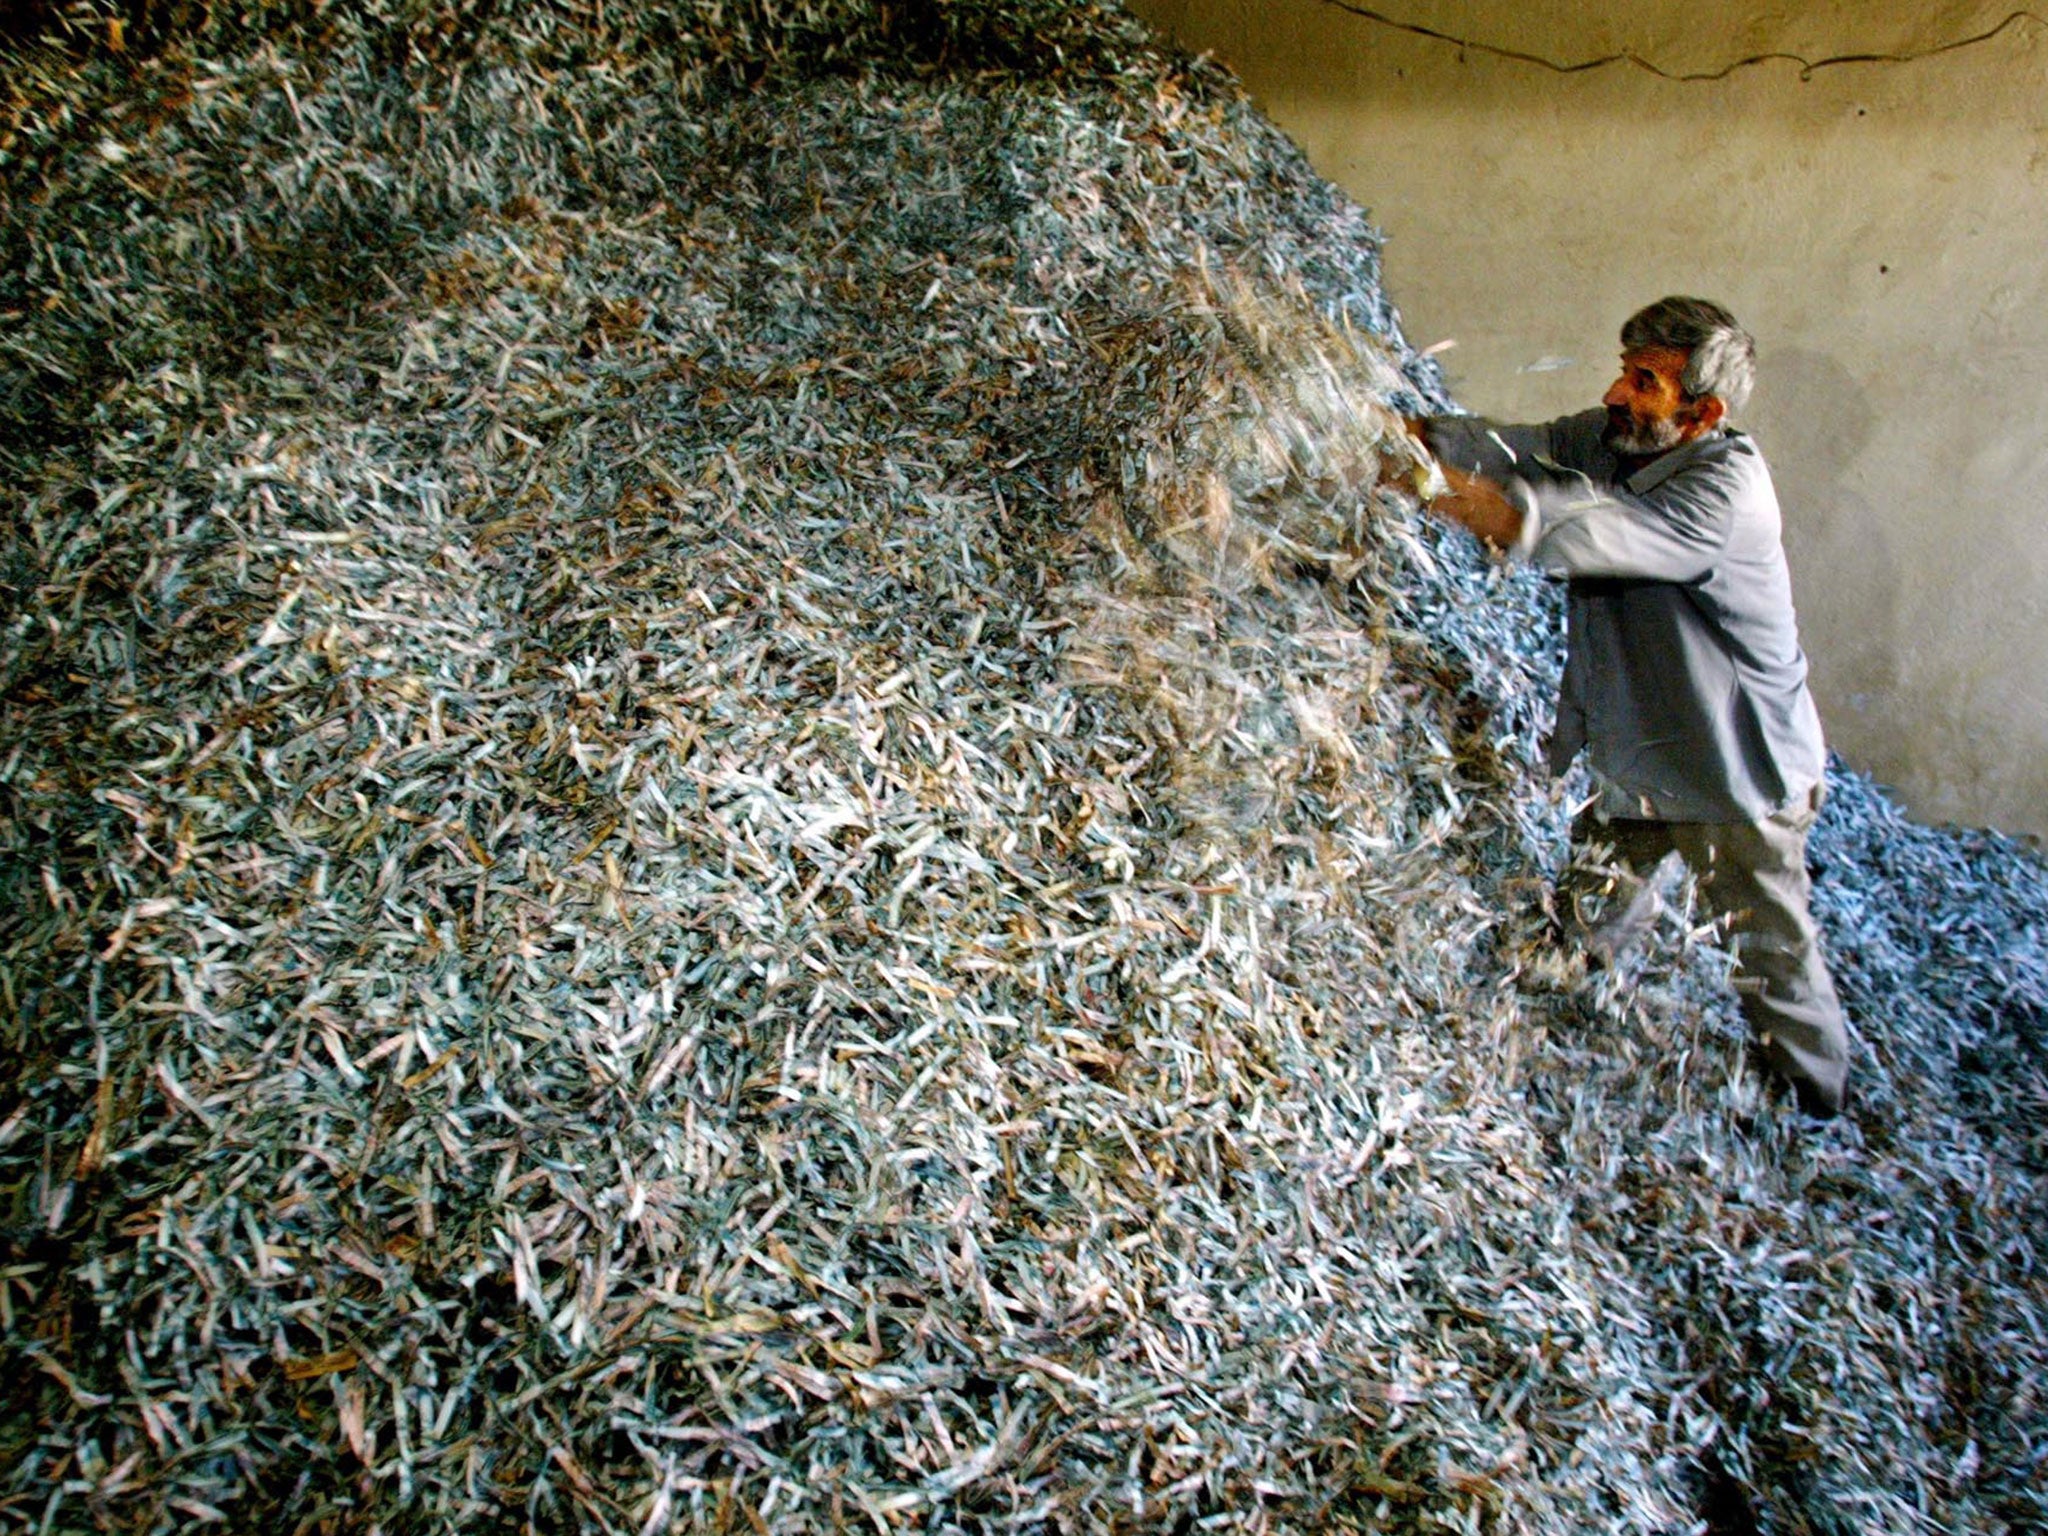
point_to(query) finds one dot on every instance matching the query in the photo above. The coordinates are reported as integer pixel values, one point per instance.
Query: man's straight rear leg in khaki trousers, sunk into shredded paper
(1756, 876)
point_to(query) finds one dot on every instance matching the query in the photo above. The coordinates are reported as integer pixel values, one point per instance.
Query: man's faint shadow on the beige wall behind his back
(1816, 425)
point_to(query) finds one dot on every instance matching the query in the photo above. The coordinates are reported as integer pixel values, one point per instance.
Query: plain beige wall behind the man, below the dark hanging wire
(1883, 228)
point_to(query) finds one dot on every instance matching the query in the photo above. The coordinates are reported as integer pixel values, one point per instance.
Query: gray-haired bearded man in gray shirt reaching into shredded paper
(1684, 679)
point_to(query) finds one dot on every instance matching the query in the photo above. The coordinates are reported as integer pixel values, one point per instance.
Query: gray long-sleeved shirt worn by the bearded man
(1684, 679)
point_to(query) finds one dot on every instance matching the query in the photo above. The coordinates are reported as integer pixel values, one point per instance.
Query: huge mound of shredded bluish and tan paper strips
(728, 804)
